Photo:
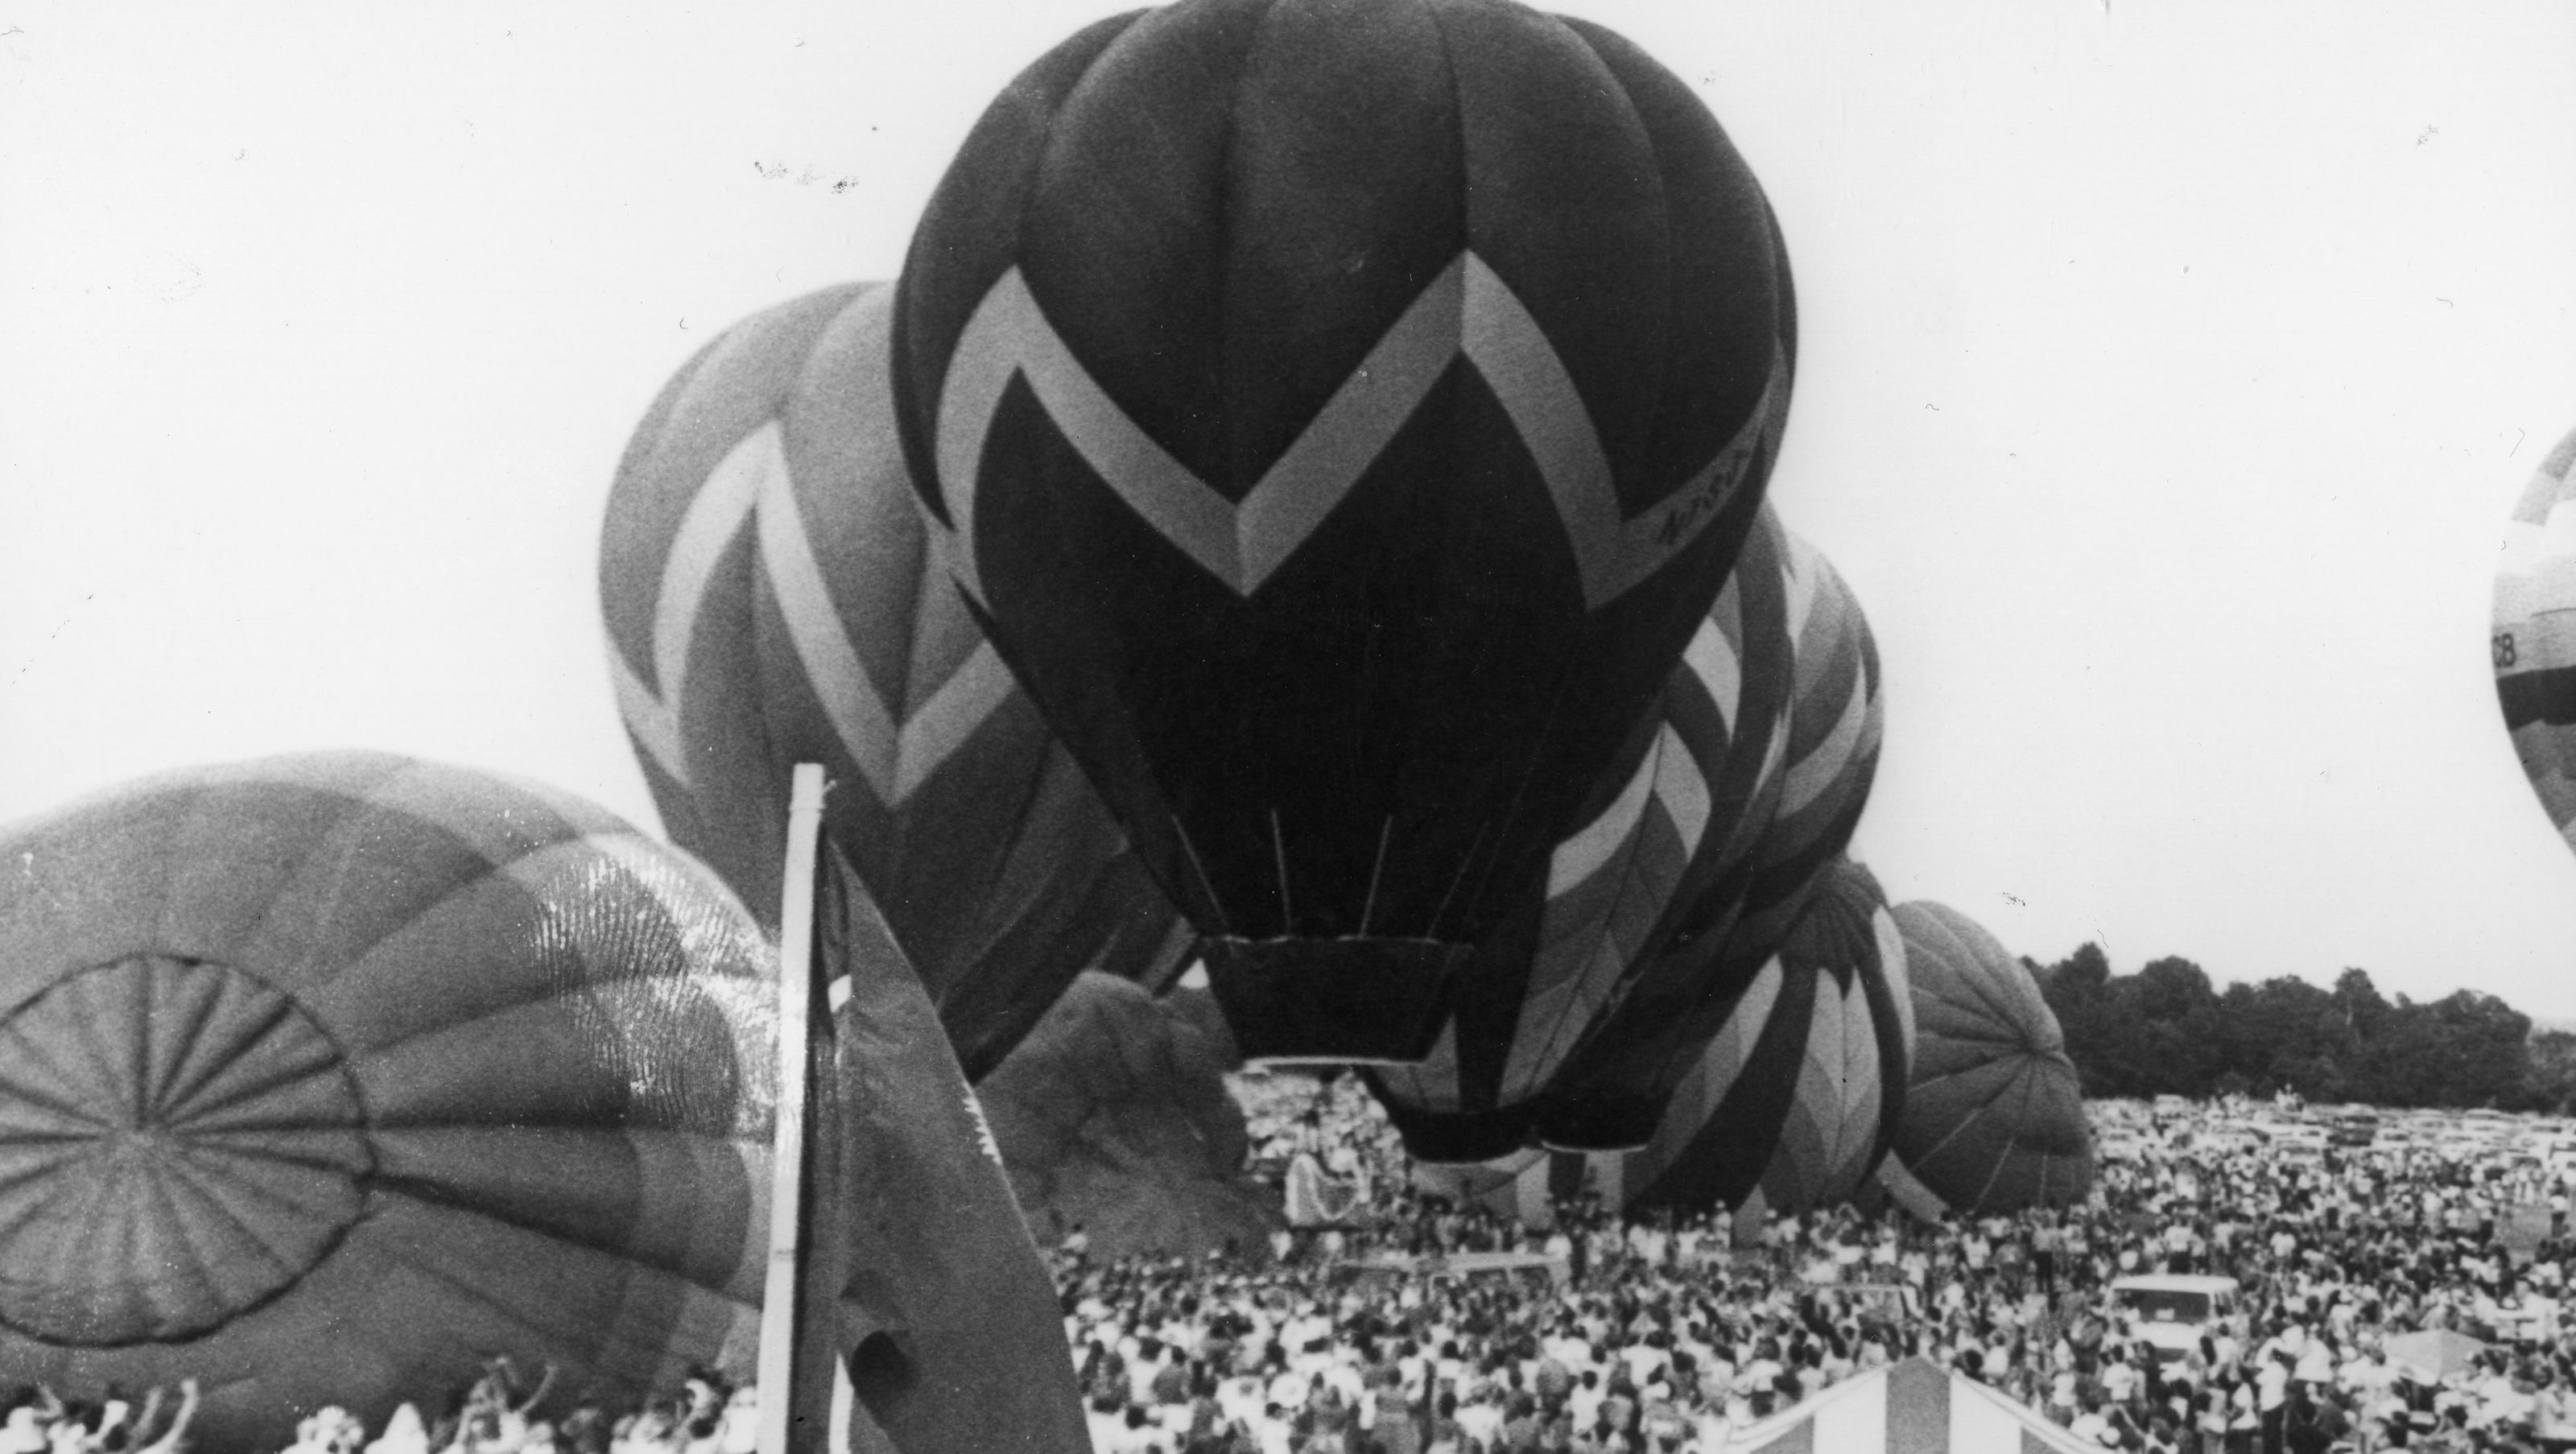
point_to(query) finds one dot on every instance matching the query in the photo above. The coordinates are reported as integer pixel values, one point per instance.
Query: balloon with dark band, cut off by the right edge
(2536, 635)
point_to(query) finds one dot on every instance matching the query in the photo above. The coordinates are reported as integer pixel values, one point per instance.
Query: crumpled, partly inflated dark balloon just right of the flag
(1114, 1118)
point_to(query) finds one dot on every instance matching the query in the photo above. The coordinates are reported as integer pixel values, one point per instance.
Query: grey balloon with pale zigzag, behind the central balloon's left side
(772, 602)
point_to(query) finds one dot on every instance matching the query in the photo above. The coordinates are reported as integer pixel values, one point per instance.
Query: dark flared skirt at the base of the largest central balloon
(1333, 999)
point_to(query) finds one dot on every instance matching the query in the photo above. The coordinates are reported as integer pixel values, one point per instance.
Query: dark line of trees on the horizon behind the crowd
(2170, 1032)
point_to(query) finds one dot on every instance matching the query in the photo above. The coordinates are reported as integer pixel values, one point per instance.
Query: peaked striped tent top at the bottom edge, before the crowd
(1910, 1409)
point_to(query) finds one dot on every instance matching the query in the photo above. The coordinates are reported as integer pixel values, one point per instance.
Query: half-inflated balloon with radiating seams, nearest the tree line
(1995, 1120)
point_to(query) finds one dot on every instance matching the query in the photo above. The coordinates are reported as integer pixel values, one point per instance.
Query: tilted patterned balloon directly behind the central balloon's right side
(1683, 811)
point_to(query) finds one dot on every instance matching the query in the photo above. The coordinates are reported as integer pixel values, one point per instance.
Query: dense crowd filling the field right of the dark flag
(1663, 1334)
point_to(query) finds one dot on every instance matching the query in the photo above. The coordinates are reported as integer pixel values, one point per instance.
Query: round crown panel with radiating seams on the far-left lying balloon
(223, 1120)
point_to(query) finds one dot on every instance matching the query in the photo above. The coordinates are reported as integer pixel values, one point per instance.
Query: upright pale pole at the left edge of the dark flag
(795, 1112)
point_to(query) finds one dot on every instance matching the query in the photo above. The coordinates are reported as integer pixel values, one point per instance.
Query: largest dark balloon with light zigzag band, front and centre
(1343, 416)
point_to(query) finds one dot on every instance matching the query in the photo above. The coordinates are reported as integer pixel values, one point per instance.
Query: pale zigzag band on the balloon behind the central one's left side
(753, 486)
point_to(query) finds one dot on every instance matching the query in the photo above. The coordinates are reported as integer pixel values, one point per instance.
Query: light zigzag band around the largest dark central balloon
(1464, 311)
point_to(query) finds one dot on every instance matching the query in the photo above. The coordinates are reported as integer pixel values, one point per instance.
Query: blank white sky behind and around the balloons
(2168, 375)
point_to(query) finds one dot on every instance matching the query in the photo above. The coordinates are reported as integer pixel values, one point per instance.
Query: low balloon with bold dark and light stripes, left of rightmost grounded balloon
(1792, 1102)
